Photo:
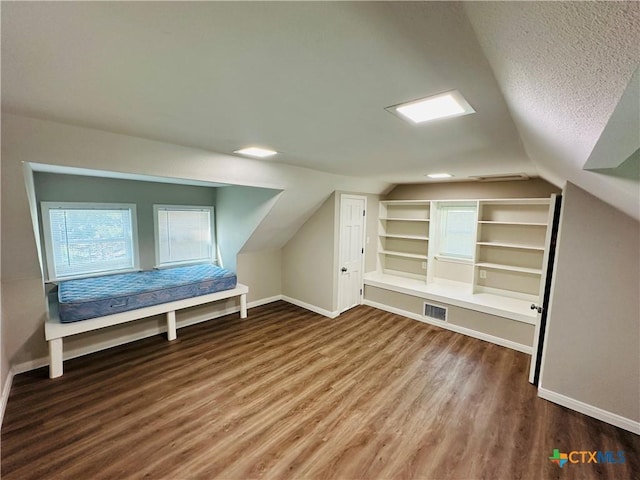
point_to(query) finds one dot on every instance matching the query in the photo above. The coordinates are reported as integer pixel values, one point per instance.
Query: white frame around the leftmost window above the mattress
(46, 207)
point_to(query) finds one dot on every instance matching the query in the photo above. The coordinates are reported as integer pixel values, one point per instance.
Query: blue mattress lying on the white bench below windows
(98, 296)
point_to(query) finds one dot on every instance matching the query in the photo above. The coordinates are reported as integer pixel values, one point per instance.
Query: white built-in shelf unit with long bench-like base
(499, 279)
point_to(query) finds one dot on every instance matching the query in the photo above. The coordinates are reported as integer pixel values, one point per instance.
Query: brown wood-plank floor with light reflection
(290, 394)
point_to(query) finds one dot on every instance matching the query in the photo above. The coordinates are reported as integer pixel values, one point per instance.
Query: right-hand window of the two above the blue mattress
(183, 234)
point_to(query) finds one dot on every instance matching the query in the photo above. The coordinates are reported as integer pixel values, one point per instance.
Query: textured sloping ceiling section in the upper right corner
(565, 68)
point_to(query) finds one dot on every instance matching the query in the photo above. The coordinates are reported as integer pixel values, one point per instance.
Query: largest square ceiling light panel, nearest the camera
(444, 105)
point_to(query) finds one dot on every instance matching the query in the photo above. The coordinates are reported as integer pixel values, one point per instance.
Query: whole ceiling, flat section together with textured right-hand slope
(312, 79)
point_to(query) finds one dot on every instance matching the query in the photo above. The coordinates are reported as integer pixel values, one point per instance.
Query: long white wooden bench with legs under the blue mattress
(55, 331)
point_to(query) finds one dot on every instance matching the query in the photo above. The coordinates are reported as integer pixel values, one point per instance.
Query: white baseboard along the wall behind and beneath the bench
(96, 347)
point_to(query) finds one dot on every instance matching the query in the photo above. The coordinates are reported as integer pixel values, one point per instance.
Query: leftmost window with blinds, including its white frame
(85, 239)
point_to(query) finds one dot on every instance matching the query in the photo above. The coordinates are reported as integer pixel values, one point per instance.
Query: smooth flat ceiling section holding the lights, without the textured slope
(309, 79)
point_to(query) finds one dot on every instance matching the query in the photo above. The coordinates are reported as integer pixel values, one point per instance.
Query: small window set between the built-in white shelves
(456, 235)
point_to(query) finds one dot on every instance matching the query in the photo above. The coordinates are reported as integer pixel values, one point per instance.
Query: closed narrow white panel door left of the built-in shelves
(351, 261)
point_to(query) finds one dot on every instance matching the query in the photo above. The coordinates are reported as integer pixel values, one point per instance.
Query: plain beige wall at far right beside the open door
(592, 348)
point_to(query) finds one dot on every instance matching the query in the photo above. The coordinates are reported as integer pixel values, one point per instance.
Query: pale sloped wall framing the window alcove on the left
(50, 143)
